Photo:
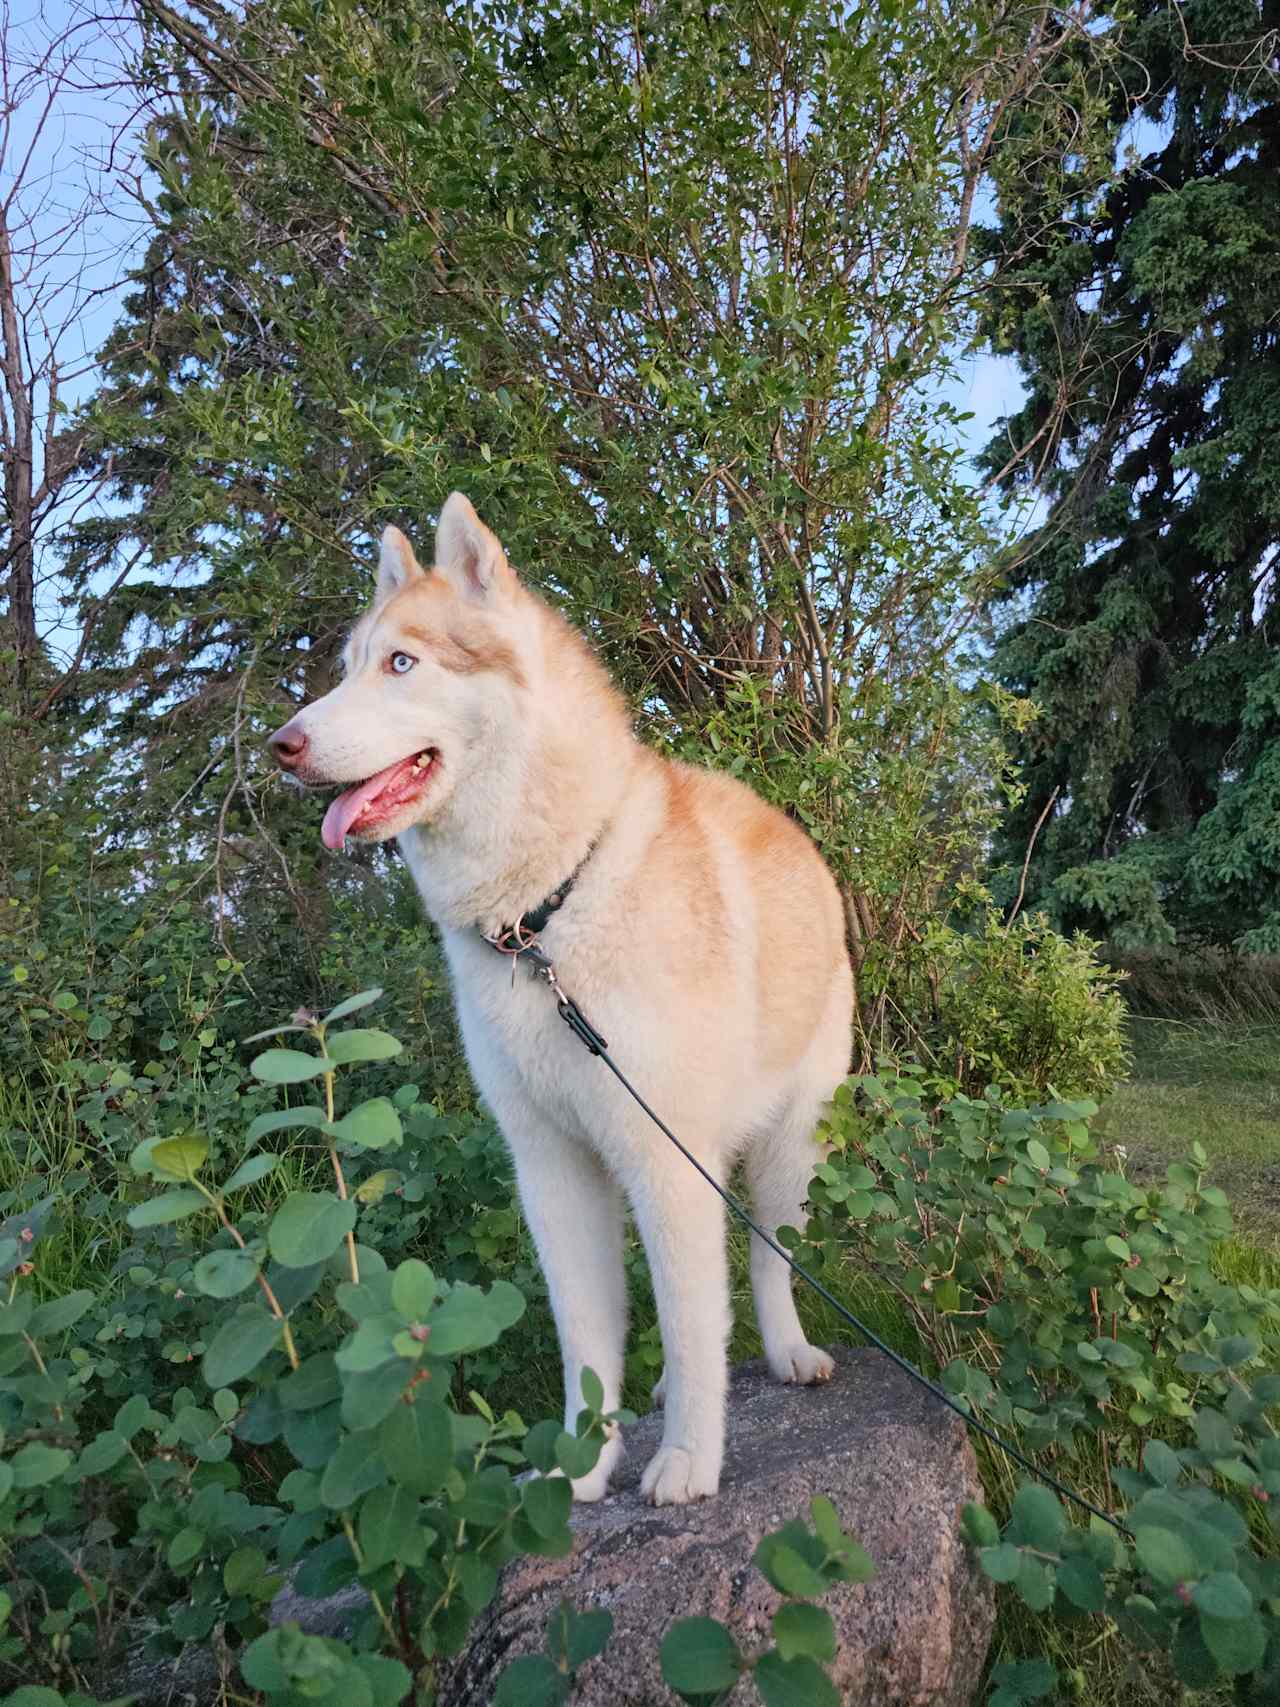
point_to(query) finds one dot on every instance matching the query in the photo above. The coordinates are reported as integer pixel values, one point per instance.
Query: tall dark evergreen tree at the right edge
(1143, 614)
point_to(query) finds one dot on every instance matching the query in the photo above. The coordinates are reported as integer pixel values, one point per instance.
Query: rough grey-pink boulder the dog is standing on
(899, 1469)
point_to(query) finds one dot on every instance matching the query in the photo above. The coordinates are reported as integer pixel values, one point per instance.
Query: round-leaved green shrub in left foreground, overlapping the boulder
(334, 1433)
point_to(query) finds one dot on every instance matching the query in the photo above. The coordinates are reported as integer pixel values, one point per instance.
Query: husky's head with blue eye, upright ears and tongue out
(433, 679)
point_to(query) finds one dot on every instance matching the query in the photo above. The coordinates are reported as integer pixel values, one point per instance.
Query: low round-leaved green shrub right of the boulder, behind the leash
(1064, 1302)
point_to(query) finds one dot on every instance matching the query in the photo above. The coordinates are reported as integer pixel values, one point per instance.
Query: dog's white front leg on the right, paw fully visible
(685, 1240)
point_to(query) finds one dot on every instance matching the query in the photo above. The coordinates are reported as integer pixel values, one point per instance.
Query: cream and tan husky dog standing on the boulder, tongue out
(702, 936)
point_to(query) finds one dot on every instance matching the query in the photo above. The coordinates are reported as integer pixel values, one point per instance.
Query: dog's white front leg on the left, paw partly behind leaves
(576, 1216)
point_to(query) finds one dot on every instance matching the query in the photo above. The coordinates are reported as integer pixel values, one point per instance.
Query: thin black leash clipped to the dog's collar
(521, 943)
